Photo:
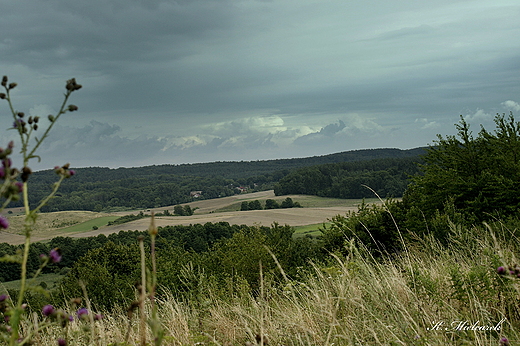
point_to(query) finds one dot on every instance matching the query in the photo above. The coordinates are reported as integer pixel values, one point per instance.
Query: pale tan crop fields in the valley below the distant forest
(315, 211)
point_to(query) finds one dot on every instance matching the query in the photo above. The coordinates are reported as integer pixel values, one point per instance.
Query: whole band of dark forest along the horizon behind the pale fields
(100, 189)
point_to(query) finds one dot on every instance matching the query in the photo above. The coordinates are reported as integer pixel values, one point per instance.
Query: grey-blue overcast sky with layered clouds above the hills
(218, 80)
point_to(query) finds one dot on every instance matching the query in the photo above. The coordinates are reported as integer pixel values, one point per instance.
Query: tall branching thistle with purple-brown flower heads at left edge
(14, 183)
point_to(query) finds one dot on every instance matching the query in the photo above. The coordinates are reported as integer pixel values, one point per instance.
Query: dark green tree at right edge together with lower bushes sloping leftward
(465, 180)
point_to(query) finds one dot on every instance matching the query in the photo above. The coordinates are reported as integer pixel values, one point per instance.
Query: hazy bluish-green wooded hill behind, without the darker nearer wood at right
(101, 188)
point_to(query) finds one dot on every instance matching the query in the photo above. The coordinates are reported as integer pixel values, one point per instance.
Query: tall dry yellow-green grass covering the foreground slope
(431, 295)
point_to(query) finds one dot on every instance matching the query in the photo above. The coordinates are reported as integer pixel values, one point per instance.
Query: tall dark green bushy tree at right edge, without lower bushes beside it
(479, 176)
